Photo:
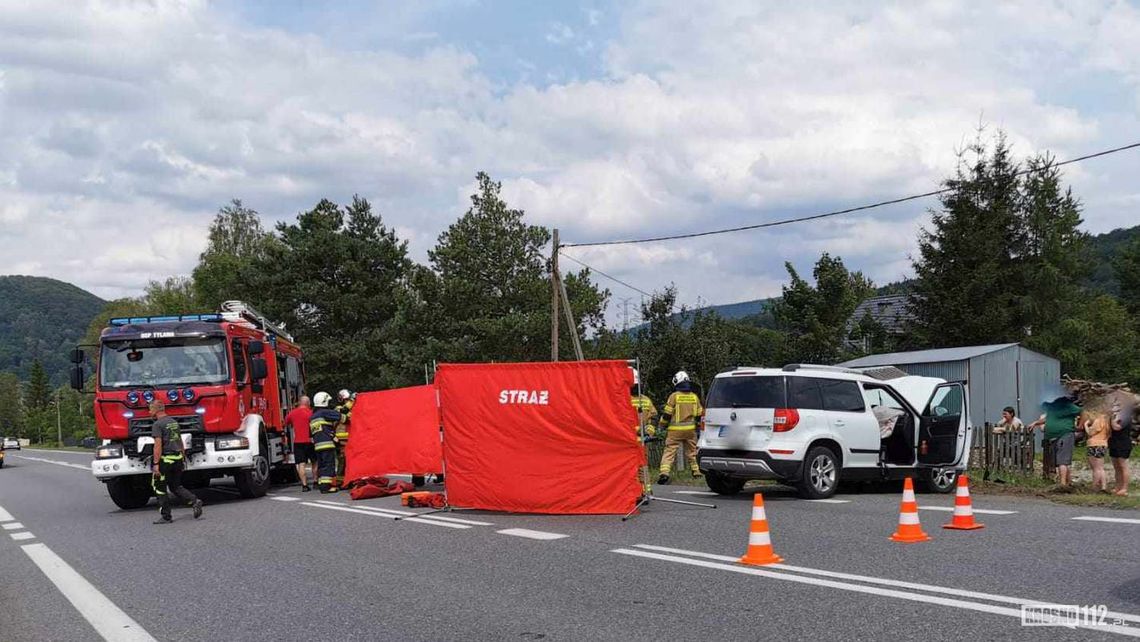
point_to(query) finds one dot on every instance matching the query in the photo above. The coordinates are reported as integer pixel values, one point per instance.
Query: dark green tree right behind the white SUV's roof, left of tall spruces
(818, 319)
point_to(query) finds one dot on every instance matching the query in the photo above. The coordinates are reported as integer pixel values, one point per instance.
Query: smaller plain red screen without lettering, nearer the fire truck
(394, 432)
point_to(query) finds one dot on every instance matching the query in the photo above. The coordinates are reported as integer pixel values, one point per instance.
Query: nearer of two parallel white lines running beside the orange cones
(859, 589)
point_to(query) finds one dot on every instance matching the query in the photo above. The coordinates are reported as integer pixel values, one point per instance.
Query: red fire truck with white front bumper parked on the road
(227, 378)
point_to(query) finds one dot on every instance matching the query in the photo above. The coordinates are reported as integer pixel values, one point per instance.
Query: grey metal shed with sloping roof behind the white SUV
(1006, 375)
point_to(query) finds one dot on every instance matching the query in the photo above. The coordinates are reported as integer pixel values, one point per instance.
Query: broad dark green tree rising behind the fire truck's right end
(335, 279)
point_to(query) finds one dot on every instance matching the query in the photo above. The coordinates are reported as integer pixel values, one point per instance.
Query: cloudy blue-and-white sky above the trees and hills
(125, 126)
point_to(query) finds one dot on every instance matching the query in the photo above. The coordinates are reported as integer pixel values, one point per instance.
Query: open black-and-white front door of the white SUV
(944, 428)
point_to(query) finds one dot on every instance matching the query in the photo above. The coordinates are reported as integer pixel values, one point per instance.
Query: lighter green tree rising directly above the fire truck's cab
(238, 243)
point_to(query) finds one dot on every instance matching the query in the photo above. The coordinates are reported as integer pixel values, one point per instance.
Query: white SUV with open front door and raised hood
(813, 426)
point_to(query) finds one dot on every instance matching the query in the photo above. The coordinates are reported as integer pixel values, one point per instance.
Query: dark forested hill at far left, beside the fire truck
(42, 319)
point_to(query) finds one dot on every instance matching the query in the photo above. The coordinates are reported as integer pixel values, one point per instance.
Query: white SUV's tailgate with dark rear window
(740, 411)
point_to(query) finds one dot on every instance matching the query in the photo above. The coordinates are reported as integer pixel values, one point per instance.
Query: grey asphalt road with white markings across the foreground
(295, 566)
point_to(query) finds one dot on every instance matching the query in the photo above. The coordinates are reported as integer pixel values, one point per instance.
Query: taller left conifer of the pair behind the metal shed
(968, 286)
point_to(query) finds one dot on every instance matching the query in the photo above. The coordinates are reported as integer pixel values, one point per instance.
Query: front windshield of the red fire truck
(164, 362)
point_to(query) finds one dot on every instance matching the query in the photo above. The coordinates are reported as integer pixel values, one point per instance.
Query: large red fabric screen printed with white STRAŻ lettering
(541, 438)
